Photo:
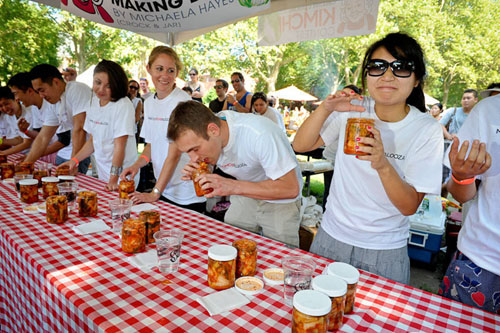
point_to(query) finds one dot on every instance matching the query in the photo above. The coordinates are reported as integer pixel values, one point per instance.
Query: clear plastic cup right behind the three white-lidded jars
(298, 275)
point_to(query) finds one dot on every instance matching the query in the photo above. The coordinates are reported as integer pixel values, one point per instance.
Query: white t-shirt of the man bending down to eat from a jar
(257, 150)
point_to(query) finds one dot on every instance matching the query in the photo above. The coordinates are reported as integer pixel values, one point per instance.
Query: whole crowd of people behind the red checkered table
(46, 114)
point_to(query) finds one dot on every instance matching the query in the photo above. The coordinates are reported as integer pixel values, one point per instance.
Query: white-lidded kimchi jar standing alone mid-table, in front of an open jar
(221, 266)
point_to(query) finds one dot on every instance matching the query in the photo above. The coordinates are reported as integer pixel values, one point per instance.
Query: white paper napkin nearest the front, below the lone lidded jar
(222, 301)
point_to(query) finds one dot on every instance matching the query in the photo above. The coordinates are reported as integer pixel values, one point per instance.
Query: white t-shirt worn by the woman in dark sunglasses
(358, 210)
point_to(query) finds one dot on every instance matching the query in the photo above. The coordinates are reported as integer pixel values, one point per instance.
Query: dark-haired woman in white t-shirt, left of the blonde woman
(110, 125)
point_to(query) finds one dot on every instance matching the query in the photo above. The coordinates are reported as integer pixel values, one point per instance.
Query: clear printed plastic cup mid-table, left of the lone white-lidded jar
(168, 247)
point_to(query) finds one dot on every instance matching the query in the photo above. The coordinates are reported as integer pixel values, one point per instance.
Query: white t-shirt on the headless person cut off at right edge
(479, 238)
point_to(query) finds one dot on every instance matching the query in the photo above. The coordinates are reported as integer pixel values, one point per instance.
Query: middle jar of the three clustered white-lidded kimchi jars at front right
(335, 288)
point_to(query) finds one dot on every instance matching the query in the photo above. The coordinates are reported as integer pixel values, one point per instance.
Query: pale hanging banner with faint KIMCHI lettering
(320, 21)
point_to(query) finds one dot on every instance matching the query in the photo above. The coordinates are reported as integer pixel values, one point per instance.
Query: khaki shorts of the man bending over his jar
(279, 221)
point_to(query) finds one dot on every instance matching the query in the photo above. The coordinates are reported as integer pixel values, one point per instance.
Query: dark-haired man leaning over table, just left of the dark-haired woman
(72, 100)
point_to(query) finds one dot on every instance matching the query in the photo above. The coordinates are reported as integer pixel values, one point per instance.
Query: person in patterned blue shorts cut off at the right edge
(473, 276)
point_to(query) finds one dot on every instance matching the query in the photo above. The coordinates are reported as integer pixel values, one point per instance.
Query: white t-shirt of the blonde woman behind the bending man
(154, 131)
